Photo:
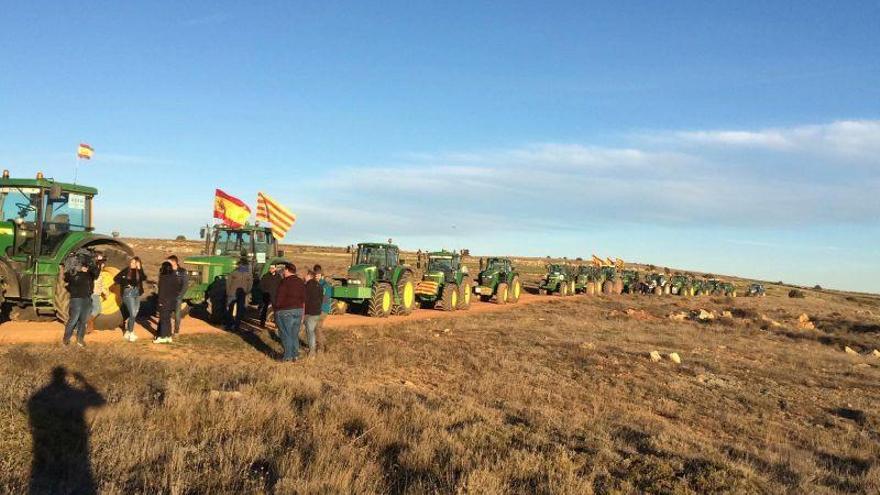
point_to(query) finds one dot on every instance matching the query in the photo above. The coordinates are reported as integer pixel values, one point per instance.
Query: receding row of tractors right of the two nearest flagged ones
(379, 283)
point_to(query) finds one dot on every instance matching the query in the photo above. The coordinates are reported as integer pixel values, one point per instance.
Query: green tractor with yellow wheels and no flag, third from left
(378, 282)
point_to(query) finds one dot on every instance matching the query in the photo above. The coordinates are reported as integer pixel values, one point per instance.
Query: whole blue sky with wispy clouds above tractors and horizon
(733, 137)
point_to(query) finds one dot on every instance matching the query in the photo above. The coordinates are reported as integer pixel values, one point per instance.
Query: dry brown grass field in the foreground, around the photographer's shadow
(546, 398)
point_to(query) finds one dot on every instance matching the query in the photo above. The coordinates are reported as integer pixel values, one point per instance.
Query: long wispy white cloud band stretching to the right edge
(690, 178)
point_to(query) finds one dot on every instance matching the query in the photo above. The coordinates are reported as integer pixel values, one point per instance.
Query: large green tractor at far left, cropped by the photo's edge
(43, 223)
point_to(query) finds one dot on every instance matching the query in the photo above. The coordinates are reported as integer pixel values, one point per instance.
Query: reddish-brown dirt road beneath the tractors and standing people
(17, 332)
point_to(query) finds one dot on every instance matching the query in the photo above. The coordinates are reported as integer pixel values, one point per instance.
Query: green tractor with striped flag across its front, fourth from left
(445, 284)
